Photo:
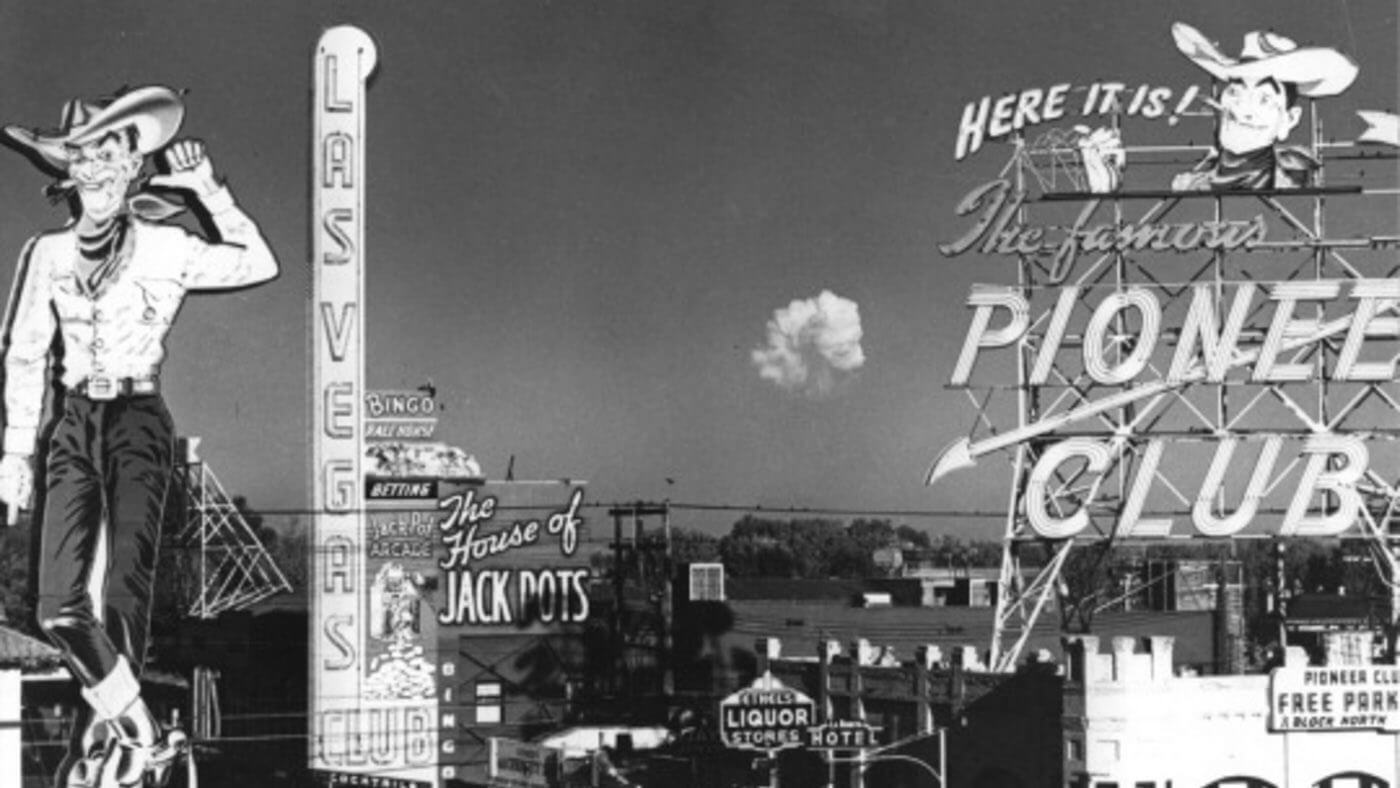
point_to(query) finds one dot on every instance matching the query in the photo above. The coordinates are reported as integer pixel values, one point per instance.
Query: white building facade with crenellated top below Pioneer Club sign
(1130, 722)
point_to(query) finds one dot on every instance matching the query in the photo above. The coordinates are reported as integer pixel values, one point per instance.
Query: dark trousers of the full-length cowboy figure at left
(110, 463)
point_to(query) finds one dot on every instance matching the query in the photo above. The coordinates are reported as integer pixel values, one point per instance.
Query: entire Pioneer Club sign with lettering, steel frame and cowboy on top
(1189, 341)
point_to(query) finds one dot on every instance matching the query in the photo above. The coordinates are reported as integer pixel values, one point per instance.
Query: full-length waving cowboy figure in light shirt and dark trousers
(108, 286)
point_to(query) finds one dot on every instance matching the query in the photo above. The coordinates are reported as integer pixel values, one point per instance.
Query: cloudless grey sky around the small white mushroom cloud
(583, 216)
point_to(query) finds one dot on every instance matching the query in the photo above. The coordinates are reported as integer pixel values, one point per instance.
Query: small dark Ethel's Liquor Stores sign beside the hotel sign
(766, 717)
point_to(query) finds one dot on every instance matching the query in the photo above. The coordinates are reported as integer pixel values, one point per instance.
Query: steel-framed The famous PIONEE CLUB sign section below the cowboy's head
(1178, 366)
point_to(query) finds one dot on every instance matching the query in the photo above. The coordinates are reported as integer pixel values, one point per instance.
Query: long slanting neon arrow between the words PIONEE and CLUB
(964, 453)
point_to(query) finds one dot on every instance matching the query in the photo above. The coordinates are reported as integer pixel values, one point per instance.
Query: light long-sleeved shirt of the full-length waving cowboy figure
(120, 328)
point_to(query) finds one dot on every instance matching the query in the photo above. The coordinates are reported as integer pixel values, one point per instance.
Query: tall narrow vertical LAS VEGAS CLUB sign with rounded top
(344, 62)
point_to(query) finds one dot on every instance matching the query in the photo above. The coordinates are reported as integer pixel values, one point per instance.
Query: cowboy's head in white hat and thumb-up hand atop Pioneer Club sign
(1256, 108)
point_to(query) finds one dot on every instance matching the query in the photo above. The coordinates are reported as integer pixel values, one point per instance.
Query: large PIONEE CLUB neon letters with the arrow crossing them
(1207, 352)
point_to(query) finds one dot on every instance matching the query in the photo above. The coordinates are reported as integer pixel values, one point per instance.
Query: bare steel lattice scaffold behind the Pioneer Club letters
(1193, 414)
